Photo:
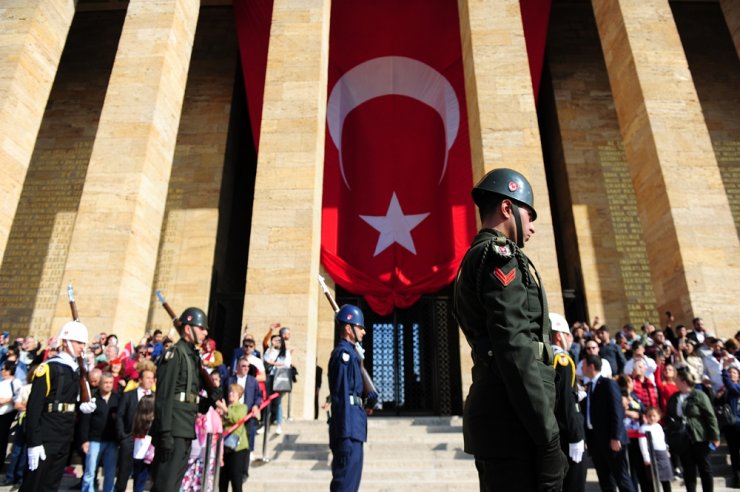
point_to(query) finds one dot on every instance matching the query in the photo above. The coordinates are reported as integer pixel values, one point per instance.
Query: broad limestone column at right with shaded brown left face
(687, 225)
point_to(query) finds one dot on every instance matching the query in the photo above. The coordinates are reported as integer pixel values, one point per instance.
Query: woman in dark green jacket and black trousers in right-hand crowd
(692, 427)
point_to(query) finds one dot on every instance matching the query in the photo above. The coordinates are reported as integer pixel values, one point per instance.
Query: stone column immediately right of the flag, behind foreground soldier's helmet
(503, 117)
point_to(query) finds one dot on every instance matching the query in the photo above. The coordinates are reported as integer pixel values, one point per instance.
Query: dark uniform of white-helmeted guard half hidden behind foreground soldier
(570, 419)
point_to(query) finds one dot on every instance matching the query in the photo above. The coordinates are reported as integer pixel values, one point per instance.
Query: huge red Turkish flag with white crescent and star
(397, 215)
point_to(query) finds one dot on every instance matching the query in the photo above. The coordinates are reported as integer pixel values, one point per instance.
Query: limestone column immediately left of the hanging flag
(286, 227)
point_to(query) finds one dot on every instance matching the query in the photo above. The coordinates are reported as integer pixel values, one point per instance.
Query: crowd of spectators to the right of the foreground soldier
(669, 394)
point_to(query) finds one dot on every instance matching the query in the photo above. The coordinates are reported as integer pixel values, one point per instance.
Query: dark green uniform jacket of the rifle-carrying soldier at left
(171, 415)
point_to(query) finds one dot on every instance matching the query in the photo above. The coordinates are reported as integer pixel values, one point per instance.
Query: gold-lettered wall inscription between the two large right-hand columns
(634, 266)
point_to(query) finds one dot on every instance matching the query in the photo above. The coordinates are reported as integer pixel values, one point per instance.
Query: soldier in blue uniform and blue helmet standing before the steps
(348, 420)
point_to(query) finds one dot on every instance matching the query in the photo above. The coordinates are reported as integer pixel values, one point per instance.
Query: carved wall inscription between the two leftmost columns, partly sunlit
(32, 270)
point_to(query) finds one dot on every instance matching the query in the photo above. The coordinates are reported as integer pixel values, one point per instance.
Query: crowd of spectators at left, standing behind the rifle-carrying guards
(115, 435)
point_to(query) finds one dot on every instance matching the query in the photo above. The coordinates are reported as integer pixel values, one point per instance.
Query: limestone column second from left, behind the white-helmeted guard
(114, 243)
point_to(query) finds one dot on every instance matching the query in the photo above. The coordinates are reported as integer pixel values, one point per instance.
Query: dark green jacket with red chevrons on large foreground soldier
(503, 313)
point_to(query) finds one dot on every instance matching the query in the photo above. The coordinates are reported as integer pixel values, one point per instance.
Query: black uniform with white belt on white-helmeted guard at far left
(50, 420)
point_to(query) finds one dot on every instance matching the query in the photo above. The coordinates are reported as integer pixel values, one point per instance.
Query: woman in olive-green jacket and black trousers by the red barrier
(235, 459)
